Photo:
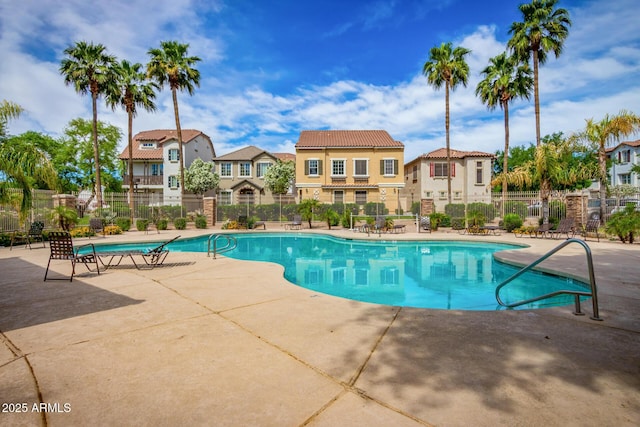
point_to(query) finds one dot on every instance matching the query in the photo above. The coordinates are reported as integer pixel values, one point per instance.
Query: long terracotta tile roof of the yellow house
(346, 139)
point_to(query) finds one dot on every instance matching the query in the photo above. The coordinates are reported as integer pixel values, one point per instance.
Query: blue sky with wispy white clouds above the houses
(273, 68)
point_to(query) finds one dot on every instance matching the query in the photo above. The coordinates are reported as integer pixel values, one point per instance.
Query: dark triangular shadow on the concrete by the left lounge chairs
(26, 300)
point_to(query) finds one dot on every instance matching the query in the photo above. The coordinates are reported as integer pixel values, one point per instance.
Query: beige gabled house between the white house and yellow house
(242, 176)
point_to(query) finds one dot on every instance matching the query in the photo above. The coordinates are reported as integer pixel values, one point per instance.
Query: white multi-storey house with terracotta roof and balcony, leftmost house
(156, 161)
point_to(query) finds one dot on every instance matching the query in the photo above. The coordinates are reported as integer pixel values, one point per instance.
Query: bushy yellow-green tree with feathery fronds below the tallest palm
(550, 169)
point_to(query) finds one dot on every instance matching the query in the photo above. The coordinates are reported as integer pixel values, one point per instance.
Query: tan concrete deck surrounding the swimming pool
(225, 342)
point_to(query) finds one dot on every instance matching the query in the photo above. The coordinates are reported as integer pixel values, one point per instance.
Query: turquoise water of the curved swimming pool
(426, 274)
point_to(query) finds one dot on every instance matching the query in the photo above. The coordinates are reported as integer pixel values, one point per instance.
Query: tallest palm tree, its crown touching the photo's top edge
(544, 29)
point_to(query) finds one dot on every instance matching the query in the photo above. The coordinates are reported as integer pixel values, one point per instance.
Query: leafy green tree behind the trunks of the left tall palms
(74, 157)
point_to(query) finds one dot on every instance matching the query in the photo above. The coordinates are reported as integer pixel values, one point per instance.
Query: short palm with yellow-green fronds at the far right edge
(608, 131)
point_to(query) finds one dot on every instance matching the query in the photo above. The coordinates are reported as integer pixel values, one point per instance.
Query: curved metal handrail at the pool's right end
(592, 280)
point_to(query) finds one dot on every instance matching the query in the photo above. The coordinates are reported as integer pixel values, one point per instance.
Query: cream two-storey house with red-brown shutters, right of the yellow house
(426, 178)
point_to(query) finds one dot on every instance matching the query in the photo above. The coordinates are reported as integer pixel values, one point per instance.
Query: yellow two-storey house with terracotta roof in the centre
(349, 166)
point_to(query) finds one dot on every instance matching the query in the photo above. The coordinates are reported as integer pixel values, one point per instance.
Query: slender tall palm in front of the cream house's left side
(446, 66)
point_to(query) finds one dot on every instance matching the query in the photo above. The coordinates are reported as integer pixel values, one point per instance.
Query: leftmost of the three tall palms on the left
(90, 70)
